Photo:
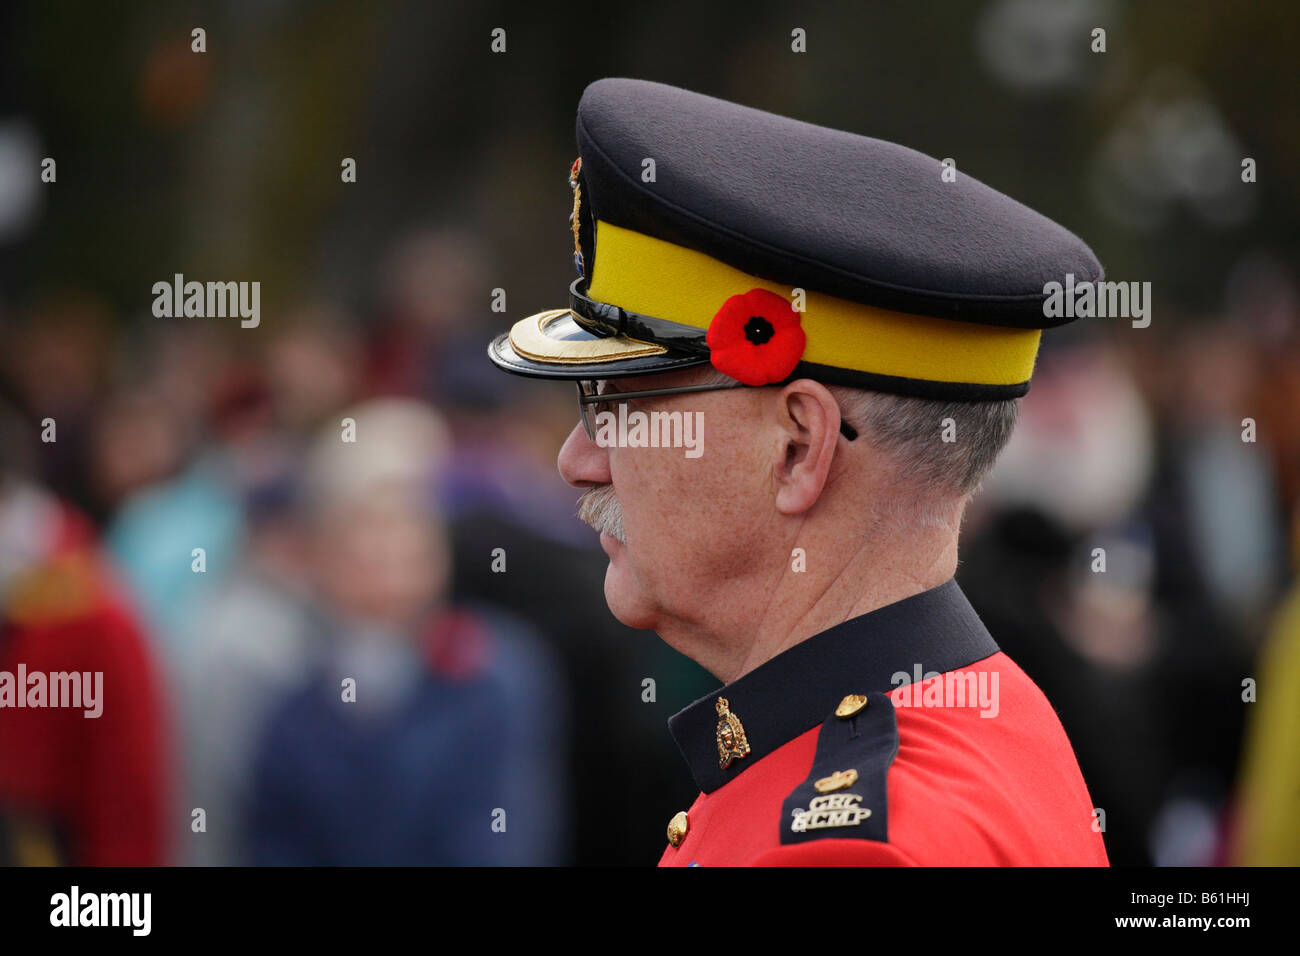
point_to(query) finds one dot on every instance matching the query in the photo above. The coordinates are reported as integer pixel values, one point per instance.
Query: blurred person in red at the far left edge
(73, 789)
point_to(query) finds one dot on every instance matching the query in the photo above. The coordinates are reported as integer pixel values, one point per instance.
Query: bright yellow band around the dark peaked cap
(655, 278)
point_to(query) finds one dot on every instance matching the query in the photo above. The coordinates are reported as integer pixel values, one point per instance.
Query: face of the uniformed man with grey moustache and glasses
(691, 527)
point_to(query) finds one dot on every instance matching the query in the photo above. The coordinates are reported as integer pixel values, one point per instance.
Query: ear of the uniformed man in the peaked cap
(809, 418)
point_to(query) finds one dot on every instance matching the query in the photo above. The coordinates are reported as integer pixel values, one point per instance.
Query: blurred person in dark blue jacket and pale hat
(426, 734)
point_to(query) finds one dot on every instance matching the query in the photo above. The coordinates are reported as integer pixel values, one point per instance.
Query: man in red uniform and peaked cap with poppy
(855, 328)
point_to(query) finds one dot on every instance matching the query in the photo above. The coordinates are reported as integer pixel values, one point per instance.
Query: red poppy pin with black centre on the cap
(756, 339)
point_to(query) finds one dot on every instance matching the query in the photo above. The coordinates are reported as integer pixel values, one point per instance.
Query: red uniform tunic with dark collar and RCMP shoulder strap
(967, 767)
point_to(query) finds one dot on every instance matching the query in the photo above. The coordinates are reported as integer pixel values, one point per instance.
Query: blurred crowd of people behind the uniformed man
(244, 530)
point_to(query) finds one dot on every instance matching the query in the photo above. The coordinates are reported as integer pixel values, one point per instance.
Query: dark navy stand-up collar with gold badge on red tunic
(799, 689)
